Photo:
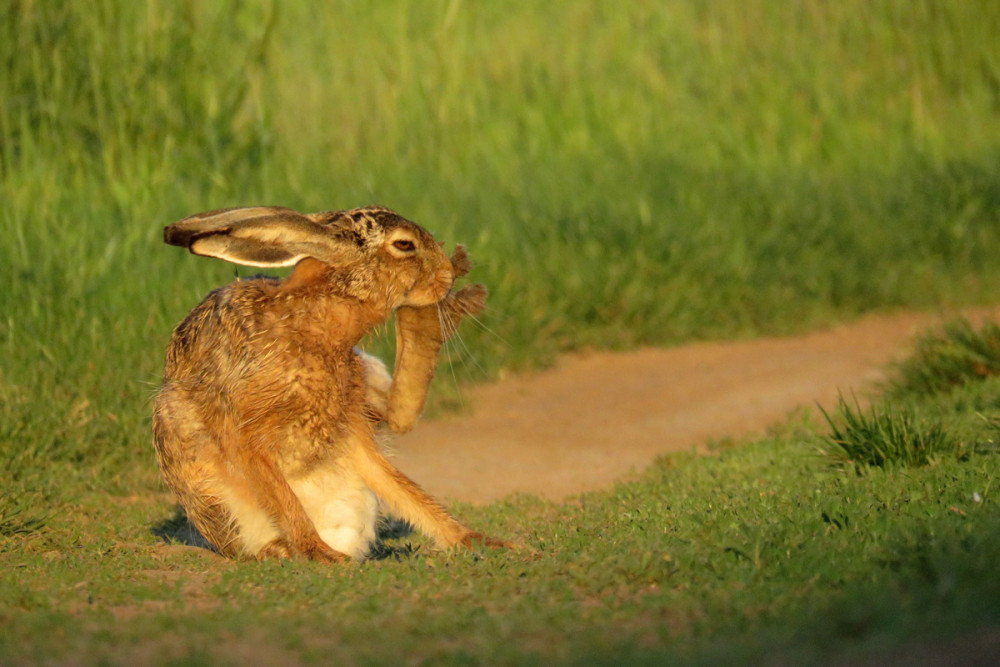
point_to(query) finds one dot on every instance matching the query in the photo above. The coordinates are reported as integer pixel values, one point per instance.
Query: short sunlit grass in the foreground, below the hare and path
(761, 552)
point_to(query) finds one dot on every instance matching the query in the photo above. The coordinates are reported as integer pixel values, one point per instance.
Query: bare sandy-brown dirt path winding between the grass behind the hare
(596, 418)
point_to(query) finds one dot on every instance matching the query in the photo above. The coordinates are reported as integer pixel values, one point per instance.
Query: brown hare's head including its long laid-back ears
(368, 253)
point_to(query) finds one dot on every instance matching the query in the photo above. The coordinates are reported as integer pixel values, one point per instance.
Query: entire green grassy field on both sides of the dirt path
(624, 174)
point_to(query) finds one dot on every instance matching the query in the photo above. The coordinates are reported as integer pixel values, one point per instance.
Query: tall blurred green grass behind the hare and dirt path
(624, 173)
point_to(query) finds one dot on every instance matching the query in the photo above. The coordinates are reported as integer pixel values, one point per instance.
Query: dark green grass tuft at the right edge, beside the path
(955, 356)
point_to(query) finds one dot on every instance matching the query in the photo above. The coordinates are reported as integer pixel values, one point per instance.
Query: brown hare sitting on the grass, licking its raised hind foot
(264, 427)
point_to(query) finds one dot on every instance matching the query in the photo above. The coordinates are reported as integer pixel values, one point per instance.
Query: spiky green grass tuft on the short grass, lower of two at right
(887, 436)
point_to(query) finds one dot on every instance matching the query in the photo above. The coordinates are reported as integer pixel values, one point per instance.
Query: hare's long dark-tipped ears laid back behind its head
(264, 236)
